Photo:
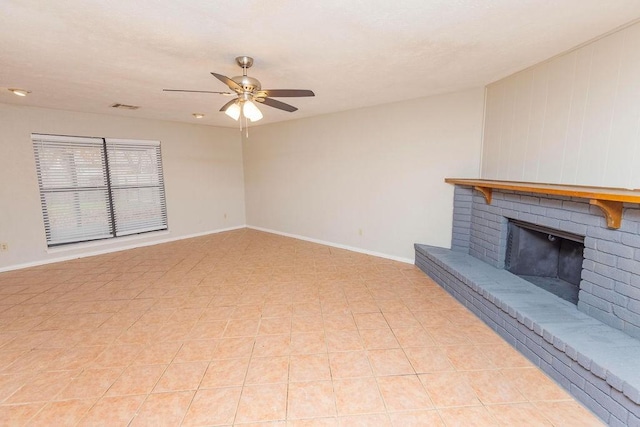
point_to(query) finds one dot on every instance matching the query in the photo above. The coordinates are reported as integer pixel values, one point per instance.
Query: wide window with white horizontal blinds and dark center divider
(98, 188)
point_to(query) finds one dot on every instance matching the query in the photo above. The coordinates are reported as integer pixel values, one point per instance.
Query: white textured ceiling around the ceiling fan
(86, 55)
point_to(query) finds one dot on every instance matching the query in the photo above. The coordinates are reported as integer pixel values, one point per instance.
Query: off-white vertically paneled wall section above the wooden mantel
(572, 120)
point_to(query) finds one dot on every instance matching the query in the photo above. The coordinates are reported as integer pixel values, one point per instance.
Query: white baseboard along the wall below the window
(111, 249)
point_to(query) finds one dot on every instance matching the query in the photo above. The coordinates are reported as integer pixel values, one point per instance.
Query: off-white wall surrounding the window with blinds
(202, 170)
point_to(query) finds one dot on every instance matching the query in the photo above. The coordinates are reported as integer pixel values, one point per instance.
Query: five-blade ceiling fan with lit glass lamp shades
(248, 91)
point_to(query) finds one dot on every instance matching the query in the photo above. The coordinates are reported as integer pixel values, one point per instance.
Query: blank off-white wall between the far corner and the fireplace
(380, 170)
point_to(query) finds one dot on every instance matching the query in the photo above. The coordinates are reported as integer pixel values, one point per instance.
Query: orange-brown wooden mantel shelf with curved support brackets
(610, 200)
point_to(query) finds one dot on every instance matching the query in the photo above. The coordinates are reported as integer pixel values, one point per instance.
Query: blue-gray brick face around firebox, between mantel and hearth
(610, 287)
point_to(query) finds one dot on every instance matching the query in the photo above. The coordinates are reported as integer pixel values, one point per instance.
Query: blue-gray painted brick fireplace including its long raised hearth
(591, 348)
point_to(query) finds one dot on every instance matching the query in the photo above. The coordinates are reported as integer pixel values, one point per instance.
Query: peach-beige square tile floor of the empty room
(249, 328)
